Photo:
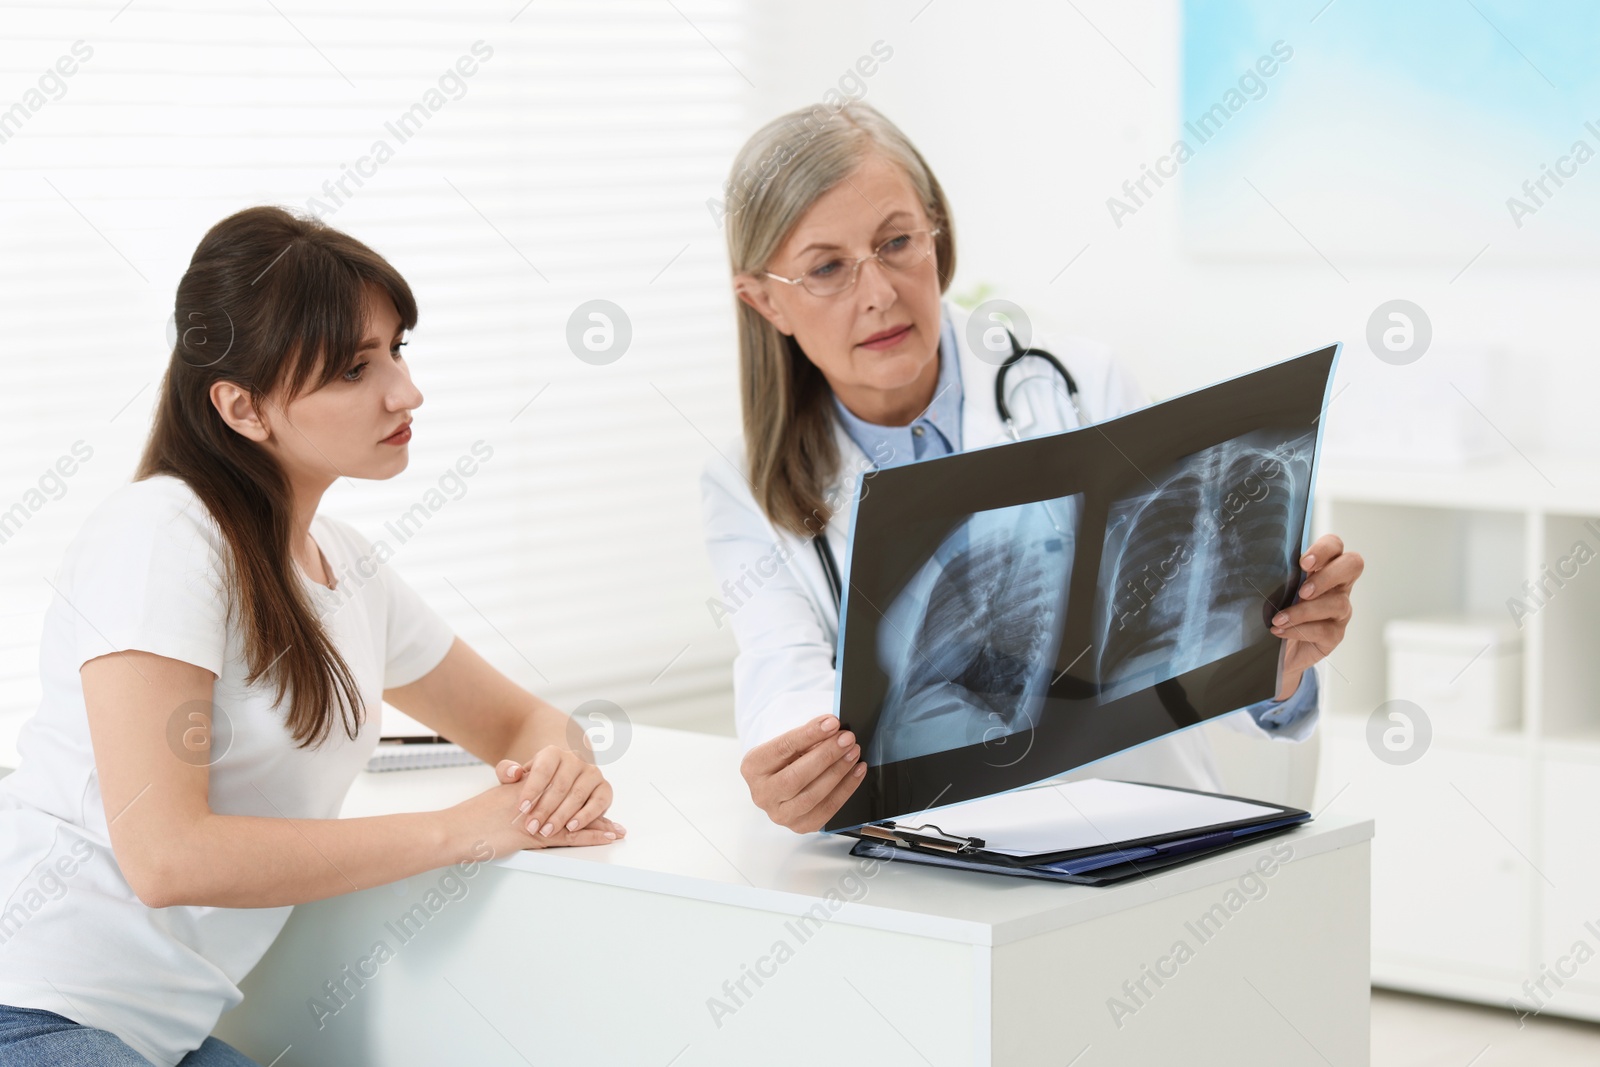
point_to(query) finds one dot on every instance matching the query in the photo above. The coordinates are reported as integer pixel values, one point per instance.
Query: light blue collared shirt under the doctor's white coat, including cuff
(938, 433)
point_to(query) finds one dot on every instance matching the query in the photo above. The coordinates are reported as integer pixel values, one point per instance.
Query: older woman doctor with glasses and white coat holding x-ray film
(849, 361)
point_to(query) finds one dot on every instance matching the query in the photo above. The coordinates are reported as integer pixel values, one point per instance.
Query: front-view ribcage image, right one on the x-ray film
(1191, 564)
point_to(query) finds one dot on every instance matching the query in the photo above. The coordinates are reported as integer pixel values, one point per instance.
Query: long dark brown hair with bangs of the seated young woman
(270, 302)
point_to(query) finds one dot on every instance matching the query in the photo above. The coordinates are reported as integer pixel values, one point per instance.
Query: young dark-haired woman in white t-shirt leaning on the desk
(214, 665)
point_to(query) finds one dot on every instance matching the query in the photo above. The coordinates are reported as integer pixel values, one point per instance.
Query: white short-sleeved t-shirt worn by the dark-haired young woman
(146, 573)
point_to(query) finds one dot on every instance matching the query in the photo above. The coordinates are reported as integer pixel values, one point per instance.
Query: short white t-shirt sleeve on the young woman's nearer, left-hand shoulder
(146, 573)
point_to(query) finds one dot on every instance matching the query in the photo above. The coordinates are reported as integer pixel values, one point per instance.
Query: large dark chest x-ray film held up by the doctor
(1014, 613)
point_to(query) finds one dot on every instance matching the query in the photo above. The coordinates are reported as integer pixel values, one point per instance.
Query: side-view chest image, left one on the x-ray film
(970, 642)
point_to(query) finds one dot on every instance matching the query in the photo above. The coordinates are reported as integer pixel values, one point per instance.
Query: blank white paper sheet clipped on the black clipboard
(1090, 813)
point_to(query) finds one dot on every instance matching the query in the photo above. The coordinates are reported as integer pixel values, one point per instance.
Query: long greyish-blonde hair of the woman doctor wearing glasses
(778, 175)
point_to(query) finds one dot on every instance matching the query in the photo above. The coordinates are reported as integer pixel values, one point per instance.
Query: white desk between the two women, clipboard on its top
(617, 956)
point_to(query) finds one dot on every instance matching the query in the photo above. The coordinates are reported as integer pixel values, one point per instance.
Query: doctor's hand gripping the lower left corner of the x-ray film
(804, 777)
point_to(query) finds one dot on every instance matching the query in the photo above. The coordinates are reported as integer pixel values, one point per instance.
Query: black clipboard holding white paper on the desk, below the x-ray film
(1086, 833)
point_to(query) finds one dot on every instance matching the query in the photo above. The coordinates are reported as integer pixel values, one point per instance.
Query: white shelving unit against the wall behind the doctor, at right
(1487, 852)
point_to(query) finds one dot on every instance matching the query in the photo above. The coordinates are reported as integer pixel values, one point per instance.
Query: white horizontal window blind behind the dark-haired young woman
(572, 166)
